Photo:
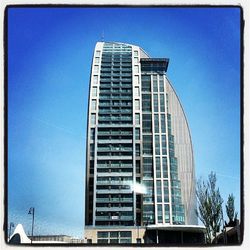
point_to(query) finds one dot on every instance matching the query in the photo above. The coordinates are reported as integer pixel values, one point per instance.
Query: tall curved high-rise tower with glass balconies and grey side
(140, 167)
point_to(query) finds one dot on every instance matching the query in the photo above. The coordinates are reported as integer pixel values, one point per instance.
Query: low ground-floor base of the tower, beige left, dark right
(151, 234)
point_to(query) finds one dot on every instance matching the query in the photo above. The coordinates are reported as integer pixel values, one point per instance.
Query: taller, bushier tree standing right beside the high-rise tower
(209, 206)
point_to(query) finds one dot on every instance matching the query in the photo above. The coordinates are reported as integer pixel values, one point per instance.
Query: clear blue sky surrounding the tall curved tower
(49, 59)
